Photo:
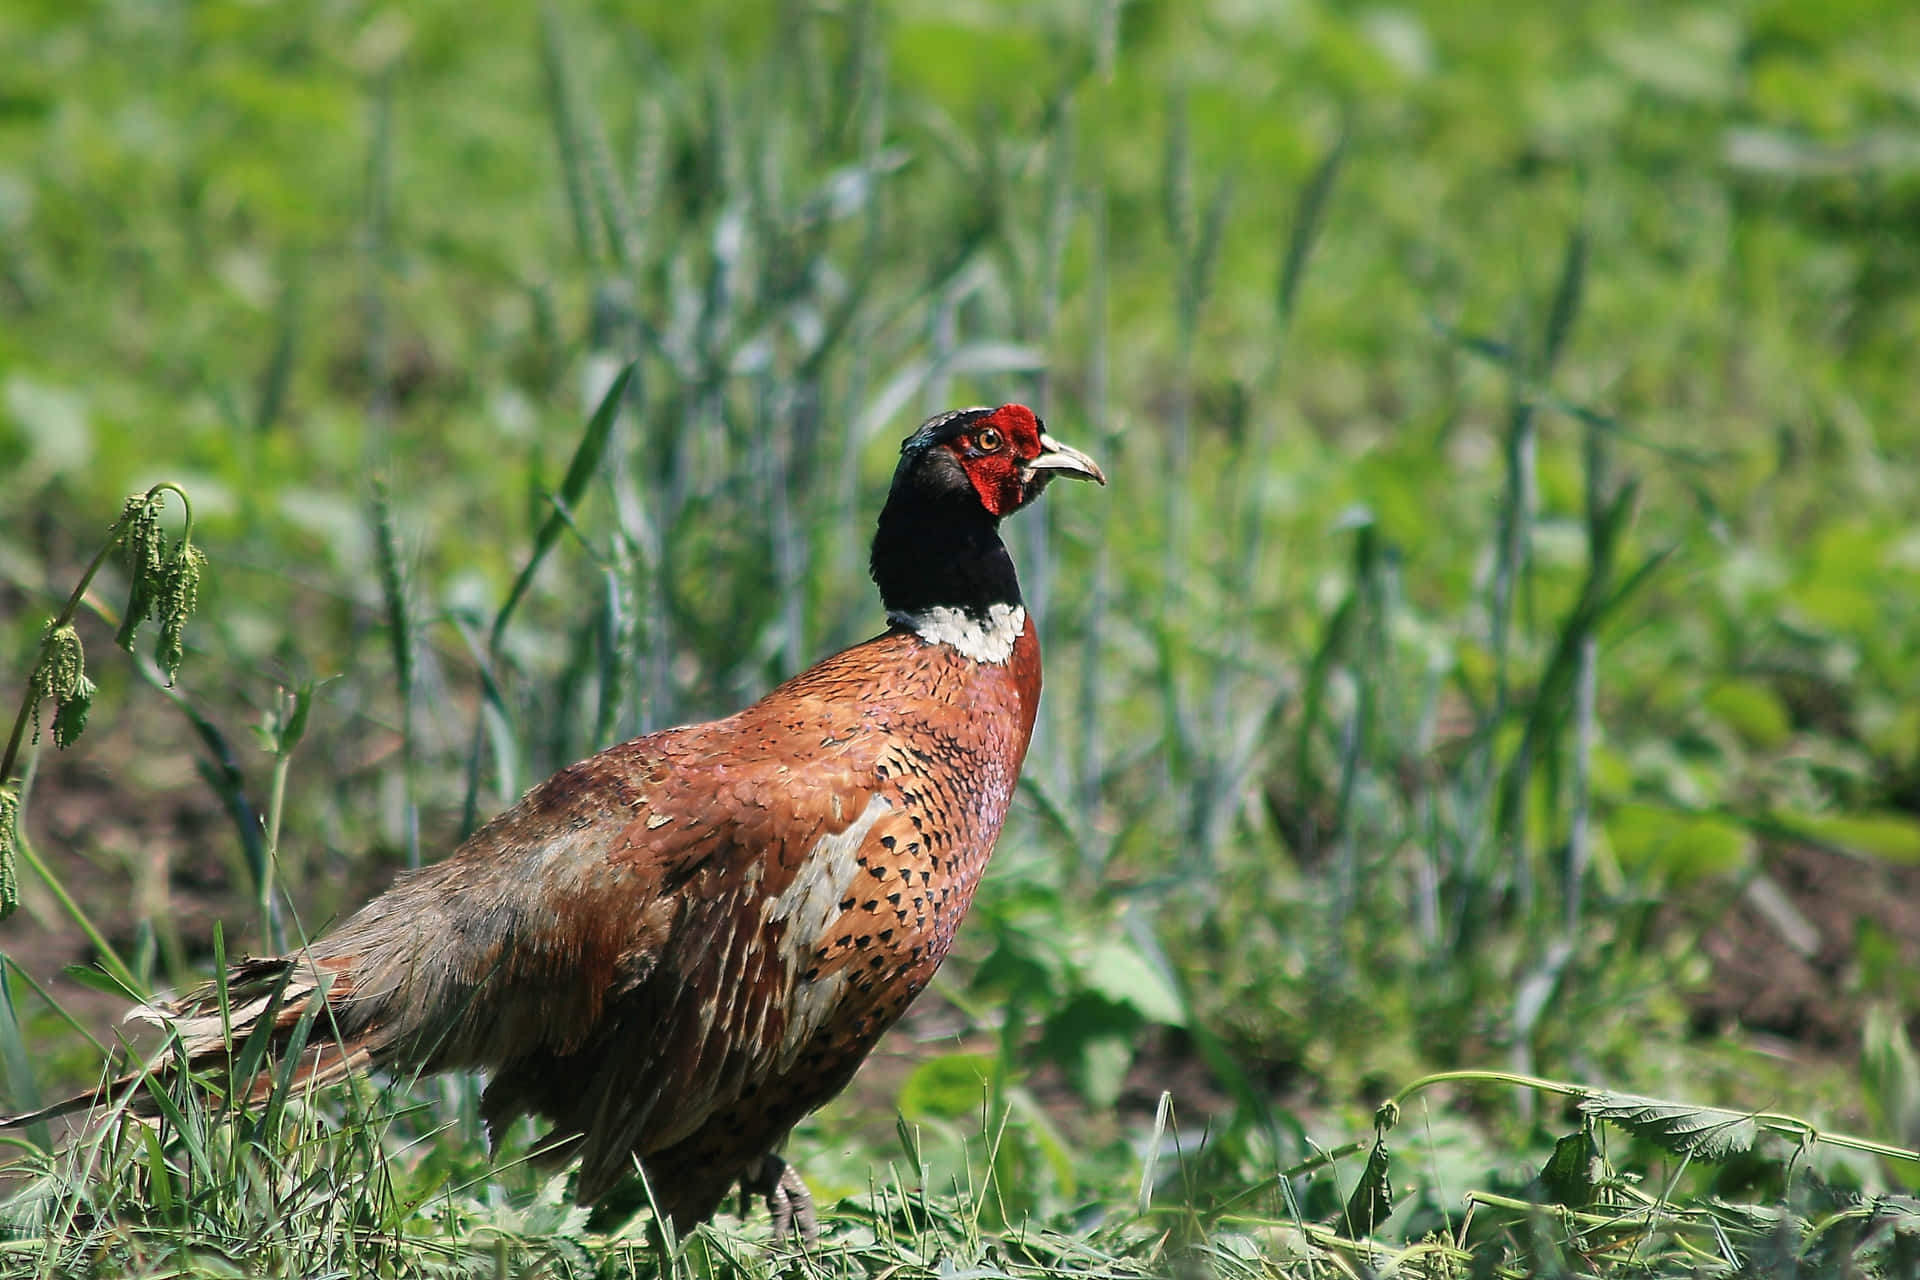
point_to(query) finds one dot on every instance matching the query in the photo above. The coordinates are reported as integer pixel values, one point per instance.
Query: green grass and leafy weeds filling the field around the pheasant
(1510, 554)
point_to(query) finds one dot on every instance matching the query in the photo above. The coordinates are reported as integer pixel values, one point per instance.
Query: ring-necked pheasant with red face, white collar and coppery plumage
(681, 947)
